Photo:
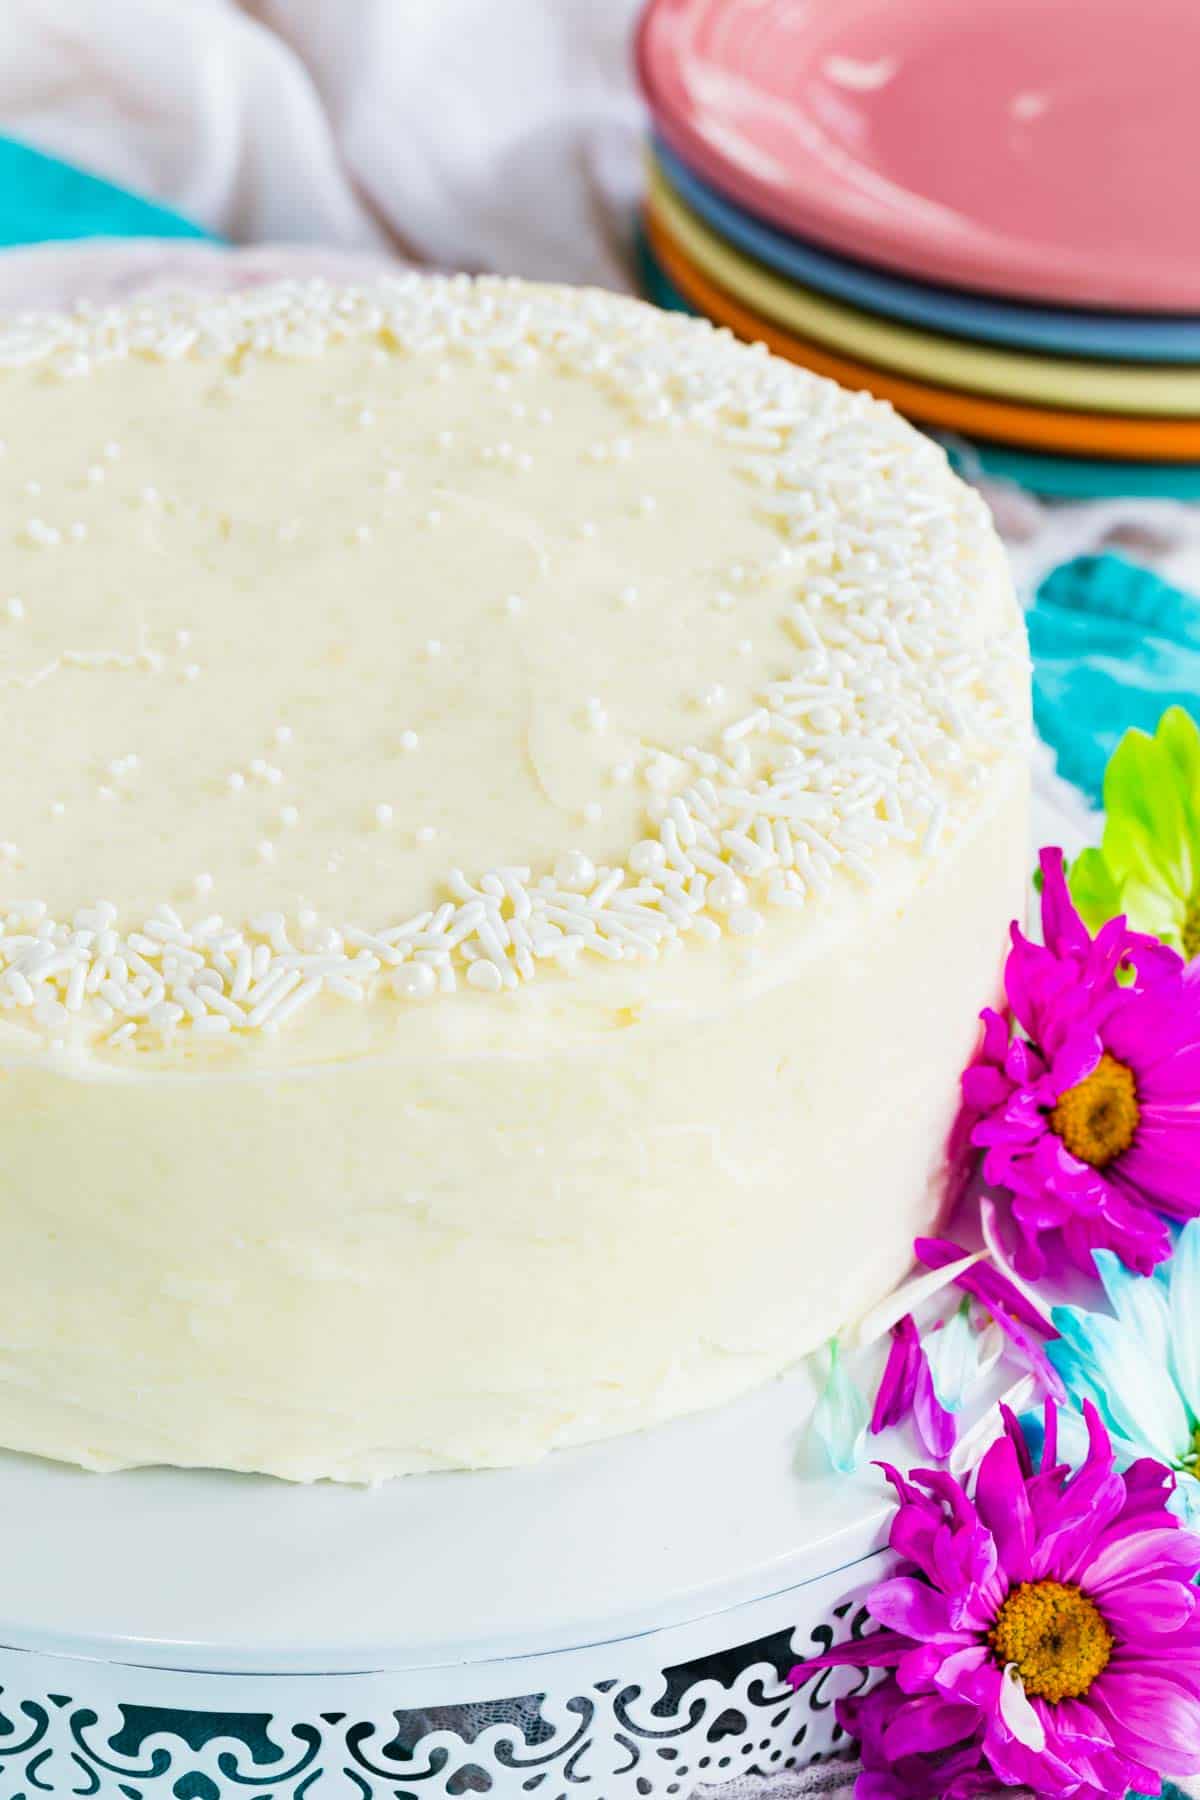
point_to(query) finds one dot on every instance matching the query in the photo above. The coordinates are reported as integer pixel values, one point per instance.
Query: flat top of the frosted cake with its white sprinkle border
(429, 636)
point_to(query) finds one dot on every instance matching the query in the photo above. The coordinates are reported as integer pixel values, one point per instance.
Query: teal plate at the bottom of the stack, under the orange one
(1053, 476)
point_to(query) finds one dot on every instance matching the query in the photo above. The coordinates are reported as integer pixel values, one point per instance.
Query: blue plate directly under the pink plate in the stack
(1122, 337)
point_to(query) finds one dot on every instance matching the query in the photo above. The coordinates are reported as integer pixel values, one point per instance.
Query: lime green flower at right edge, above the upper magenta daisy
(1149, 865)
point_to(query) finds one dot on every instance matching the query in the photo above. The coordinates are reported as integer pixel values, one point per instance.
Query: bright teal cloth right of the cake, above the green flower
(1113, 647)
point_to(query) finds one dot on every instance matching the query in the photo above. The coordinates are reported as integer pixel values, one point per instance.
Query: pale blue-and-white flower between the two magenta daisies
(1140, 1365)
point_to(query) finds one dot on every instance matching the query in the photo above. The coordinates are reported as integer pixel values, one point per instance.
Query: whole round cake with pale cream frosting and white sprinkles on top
(514, 805)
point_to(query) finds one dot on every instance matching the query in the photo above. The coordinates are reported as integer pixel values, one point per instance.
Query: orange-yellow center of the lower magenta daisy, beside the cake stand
(1055, 1637)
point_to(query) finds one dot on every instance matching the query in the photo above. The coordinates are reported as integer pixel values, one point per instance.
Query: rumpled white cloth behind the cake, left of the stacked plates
(479, 134)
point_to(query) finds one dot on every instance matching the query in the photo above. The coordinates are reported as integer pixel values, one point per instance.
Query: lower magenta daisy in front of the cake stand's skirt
(1043, 1635)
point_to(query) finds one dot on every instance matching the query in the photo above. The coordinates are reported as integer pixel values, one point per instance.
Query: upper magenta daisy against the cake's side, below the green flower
(1089, 1117)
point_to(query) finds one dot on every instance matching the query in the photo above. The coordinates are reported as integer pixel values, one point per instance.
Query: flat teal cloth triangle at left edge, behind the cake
(44, 199)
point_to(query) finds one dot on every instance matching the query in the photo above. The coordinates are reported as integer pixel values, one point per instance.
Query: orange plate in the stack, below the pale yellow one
(1001, 420)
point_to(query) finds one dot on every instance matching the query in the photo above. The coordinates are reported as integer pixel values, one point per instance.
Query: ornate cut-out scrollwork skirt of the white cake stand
(661, 1714)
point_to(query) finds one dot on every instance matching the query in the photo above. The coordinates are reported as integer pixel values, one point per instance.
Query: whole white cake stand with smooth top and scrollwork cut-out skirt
(614, 1623)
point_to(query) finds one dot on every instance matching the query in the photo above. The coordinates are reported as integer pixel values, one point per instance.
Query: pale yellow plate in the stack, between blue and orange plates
(949, 363)
